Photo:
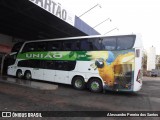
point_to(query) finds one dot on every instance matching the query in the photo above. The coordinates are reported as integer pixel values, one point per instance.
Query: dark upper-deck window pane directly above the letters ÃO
(54, 46)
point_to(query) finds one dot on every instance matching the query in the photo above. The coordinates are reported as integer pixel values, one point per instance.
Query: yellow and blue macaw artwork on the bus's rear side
(115, 68)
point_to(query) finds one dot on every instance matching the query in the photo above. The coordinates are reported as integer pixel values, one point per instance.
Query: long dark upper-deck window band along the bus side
(88, 44)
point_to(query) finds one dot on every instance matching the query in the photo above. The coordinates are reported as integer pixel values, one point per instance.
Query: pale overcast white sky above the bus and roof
(127, 16)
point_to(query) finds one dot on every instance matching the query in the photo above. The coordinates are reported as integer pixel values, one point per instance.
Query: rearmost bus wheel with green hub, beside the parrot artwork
(95, 85)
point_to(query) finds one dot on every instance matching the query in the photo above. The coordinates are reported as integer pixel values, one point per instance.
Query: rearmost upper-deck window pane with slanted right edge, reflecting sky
(126, 42)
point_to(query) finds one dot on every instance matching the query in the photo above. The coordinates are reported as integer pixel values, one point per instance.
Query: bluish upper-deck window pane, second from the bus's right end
(109, 43)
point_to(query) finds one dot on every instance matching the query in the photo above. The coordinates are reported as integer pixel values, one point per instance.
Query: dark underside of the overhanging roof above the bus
(23, 19)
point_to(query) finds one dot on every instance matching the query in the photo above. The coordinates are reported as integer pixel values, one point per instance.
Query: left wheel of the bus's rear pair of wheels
(78, 83)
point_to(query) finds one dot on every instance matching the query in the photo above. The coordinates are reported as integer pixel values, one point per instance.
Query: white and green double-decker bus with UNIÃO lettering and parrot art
(94, 62)
